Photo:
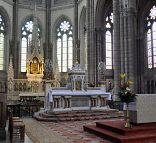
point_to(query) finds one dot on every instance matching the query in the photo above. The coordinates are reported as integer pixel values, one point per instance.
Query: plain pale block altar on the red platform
(143, 109)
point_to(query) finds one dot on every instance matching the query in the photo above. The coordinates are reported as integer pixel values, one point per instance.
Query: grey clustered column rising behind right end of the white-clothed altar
(90, 42)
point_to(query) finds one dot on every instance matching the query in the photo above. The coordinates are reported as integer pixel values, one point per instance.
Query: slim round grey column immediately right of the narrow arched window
(116, 45)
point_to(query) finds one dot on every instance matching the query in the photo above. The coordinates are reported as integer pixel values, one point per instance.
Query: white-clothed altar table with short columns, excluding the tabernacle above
(78, 100)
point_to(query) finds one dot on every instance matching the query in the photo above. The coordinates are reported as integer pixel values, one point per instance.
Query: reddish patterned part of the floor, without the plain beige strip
(73, 131)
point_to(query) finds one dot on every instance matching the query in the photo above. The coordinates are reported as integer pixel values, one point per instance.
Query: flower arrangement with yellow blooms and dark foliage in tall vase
(125, 94)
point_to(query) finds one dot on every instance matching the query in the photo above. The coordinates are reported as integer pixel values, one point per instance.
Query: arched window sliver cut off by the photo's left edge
(2, 37)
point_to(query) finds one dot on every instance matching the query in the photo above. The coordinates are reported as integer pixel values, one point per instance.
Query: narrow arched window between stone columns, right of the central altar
(109, 41)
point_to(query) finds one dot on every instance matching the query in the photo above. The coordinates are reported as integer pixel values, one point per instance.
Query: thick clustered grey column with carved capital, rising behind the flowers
(127, 39)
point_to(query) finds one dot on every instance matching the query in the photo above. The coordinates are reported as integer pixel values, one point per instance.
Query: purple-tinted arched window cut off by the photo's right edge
(151, 38)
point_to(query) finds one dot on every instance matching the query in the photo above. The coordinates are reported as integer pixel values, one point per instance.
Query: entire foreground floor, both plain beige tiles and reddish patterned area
(62, 132)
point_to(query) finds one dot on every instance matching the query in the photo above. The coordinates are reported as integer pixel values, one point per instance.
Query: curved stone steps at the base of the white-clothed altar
(58, 116)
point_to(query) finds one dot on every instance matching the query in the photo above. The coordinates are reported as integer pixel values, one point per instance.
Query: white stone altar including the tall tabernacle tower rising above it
(76, 95)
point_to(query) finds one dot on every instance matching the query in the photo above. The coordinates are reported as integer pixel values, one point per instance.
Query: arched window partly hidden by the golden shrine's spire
(26, 40)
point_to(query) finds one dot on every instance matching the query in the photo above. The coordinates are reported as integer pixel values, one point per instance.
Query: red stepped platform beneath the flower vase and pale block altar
(115, 132)
